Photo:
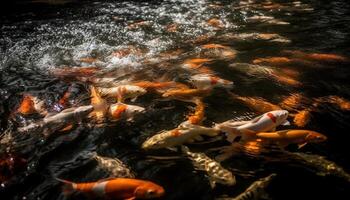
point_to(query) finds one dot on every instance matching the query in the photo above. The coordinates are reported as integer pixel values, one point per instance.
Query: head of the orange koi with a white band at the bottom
(149, 191)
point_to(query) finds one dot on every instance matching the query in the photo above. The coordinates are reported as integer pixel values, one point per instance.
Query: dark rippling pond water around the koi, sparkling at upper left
(36, 38)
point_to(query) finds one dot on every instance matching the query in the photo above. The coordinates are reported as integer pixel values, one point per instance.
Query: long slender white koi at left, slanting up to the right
(59, 120)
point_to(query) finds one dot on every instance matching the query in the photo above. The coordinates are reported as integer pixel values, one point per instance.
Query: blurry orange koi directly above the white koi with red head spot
(257, 104)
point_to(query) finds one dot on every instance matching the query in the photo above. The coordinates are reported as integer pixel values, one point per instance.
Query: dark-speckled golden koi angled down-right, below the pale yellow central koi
(216, 173)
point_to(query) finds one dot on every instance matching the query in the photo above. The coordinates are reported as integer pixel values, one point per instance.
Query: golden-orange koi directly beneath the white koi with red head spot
(286, 137)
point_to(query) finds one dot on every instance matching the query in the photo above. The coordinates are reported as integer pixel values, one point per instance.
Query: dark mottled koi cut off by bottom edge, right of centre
(256, 190)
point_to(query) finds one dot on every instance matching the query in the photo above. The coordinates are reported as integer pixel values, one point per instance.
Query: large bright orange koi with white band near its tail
(115, 188)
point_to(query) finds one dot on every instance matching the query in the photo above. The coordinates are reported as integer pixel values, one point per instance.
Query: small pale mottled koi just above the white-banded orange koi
(114, 167)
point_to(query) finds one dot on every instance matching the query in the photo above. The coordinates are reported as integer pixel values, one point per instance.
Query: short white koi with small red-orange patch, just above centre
(206, 81)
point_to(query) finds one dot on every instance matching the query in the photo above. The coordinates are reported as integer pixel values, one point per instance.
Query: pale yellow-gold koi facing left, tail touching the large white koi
(185, 132)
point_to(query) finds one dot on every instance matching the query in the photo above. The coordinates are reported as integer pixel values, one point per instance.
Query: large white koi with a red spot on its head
(265, 122)
